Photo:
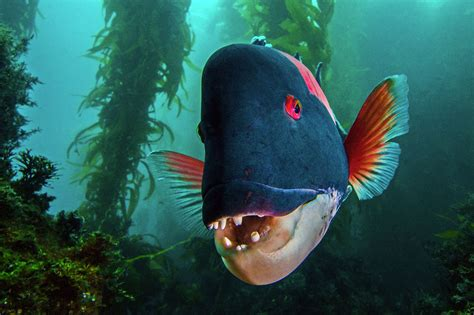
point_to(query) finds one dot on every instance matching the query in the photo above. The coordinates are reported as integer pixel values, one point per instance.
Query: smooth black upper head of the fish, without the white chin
(259, 159)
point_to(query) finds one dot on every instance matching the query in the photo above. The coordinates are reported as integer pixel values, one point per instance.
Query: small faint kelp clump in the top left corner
(19, 15)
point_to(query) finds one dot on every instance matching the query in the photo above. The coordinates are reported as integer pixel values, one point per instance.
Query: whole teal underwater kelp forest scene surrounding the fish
(107, 82)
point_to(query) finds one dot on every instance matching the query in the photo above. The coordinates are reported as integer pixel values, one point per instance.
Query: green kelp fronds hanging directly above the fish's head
(292, 26)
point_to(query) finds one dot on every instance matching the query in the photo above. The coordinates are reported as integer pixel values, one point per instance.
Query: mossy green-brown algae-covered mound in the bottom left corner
(50, 265)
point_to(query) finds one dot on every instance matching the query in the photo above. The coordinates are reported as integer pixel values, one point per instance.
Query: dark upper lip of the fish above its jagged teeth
(242, 197)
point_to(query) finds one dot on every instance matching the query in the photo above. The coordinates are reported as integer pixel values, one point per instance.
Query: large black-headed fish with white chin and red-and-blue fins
(278, 164)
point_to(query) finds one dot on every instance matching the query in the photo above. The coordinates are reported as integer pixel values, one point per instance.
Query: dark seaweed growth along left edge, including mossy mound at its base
(46, 264)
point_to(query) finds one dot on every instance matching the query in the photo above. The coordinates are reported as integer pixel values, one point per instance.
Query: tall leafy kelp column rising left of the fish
(141, 51)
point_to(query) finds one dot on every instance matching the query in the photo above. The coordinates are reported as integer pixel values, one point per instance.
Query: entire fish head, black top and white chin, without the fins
(274, 162)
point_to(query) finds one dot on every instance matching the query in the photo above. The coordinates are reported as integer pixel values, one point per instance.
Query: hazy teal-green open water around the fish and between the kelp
(382, 256)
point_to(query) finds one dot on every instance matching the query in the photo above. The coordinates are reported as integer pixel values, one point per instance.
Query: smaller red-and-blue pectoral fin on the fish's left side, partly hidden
(183, 176)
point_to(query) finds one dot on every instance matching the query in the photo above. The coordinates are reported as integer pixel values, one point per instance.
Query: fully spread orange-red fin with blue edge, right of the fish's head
(372, 158)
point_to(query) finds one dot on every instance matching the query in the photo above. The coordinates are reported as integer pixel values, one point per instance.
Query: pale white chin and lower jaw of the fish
(288, 241)
